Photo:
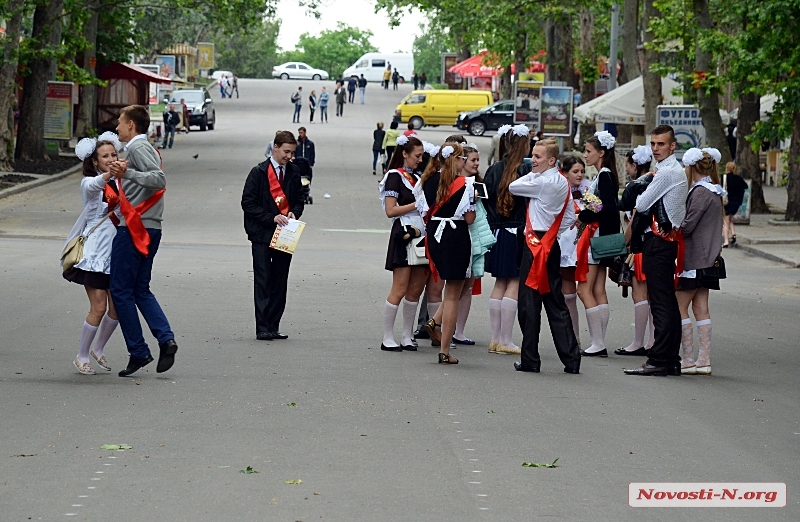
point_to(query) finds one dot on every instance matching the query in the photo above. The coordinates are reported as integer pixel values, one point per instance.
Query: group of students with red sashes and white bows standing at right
(533, 230)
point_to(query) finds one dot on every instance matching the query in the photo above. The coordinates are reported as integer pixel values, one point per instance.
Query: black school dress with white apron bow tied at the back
(452, 255)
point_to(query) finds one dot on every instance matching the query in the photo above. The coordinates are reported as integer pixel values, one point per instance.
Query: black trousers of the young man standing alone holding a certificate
(270, 278)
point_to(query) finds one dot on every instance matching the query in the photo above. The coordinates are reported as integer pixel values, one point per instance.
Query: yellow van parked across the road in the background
(435, 107)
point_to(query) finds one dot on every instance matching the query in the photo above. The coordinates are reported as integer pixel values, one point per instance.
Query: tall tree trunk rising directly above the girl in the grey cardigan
(708, 99)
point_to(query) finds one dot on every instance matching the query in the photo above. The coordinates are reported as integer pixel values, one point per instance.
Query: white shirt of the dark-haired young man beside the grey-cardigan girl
(670, 184)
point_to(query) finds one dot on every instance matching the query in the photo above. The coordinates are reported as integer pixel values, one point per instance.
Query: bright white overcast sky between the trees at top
(356, 13)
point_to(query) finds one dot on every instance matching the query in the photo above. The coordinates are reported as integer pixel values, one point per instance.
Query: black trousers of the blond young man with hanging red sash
(530, 314)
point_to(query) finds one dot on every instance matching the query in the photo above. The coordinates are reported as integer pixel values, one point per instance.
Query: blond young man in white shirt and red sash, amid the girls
(550, 212)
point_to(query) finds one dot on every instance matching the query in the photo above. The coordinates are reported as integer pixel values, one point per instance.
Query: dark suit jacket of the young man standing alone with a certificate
(259, 207)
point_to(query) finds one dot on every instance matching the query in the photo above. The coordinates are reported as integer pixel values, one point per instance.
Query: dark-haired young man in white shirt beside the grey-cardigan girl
(660, 252)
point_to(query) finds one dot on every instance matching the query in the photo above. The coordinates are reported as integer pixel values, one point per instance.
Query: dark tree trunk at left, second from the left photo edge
(47, 34)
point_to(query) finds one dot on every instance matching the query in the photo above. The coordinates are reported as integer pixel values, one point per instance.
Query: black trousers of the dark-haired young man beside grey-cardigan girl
(658, 263)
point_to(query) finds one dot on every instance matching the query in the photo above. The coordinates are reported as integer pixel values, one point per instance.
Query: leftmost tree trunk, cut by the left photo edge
(8, 84)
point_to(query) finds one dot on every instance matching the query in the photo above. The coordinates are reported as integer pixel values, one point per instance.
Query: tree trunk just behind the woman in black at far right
(746, 157)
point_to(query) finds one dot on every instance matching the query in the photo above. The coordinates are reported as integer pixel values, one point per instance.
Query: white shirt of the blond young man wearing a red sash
(547, 192)
